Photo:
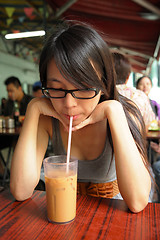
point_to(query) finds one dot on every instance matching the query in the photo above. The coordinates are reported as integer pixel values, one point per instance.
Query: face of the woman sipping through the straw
(68, 106)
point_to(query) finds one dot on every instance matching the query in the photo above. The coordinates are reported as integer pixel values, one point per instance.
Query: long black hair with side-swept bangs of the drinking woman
(84, 59)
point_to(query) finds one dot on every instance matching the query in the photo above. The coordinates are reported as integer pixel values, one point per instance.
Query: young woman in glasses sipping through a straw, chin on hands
(78, 79)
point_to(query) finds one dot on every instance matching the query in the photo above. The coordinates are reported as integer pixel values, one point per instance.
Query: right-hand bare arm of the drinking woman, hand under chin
(133, 178)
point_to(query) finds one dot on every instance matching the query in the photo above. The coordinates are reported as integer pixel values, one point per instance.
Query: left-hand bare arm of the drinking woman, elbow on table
(30, 149)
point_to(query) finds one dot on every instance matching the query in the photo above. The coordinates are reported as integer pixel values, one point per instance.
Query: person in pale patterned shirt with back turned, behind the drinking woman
(123, 70)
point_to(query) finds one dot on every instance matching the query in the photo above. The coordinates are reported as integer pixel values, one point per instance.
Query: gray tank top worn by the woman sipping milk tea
(99, 170)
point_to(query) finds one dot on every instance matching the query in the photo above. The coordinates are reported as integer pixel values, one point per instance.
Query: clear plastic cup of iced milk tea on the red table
(61, 188)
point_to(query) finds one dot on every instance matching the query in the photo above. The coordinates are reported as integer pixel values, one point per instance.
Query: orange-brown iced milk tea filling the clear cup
(61, 192)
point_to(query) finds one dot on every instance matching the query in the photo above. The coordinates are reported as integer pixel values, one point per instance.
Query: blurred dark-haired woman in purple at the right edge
(144, 83)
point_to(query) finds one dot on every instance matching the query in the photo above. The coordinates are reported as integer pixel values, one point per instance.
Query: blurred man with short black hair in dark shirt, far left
(15, 94)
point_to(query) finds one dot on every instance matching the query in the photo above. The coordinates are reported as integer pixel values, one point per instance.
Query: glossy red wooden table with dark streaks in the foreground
(96, 218)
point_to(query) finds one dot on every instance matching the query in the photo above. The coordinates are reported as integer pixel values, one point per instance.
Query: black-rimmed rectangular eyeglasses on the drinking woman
(86, 93)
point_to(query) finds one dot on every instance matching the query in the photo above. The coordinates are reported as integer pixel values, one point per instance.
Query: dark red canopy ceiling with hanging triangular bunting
(130, 26)
